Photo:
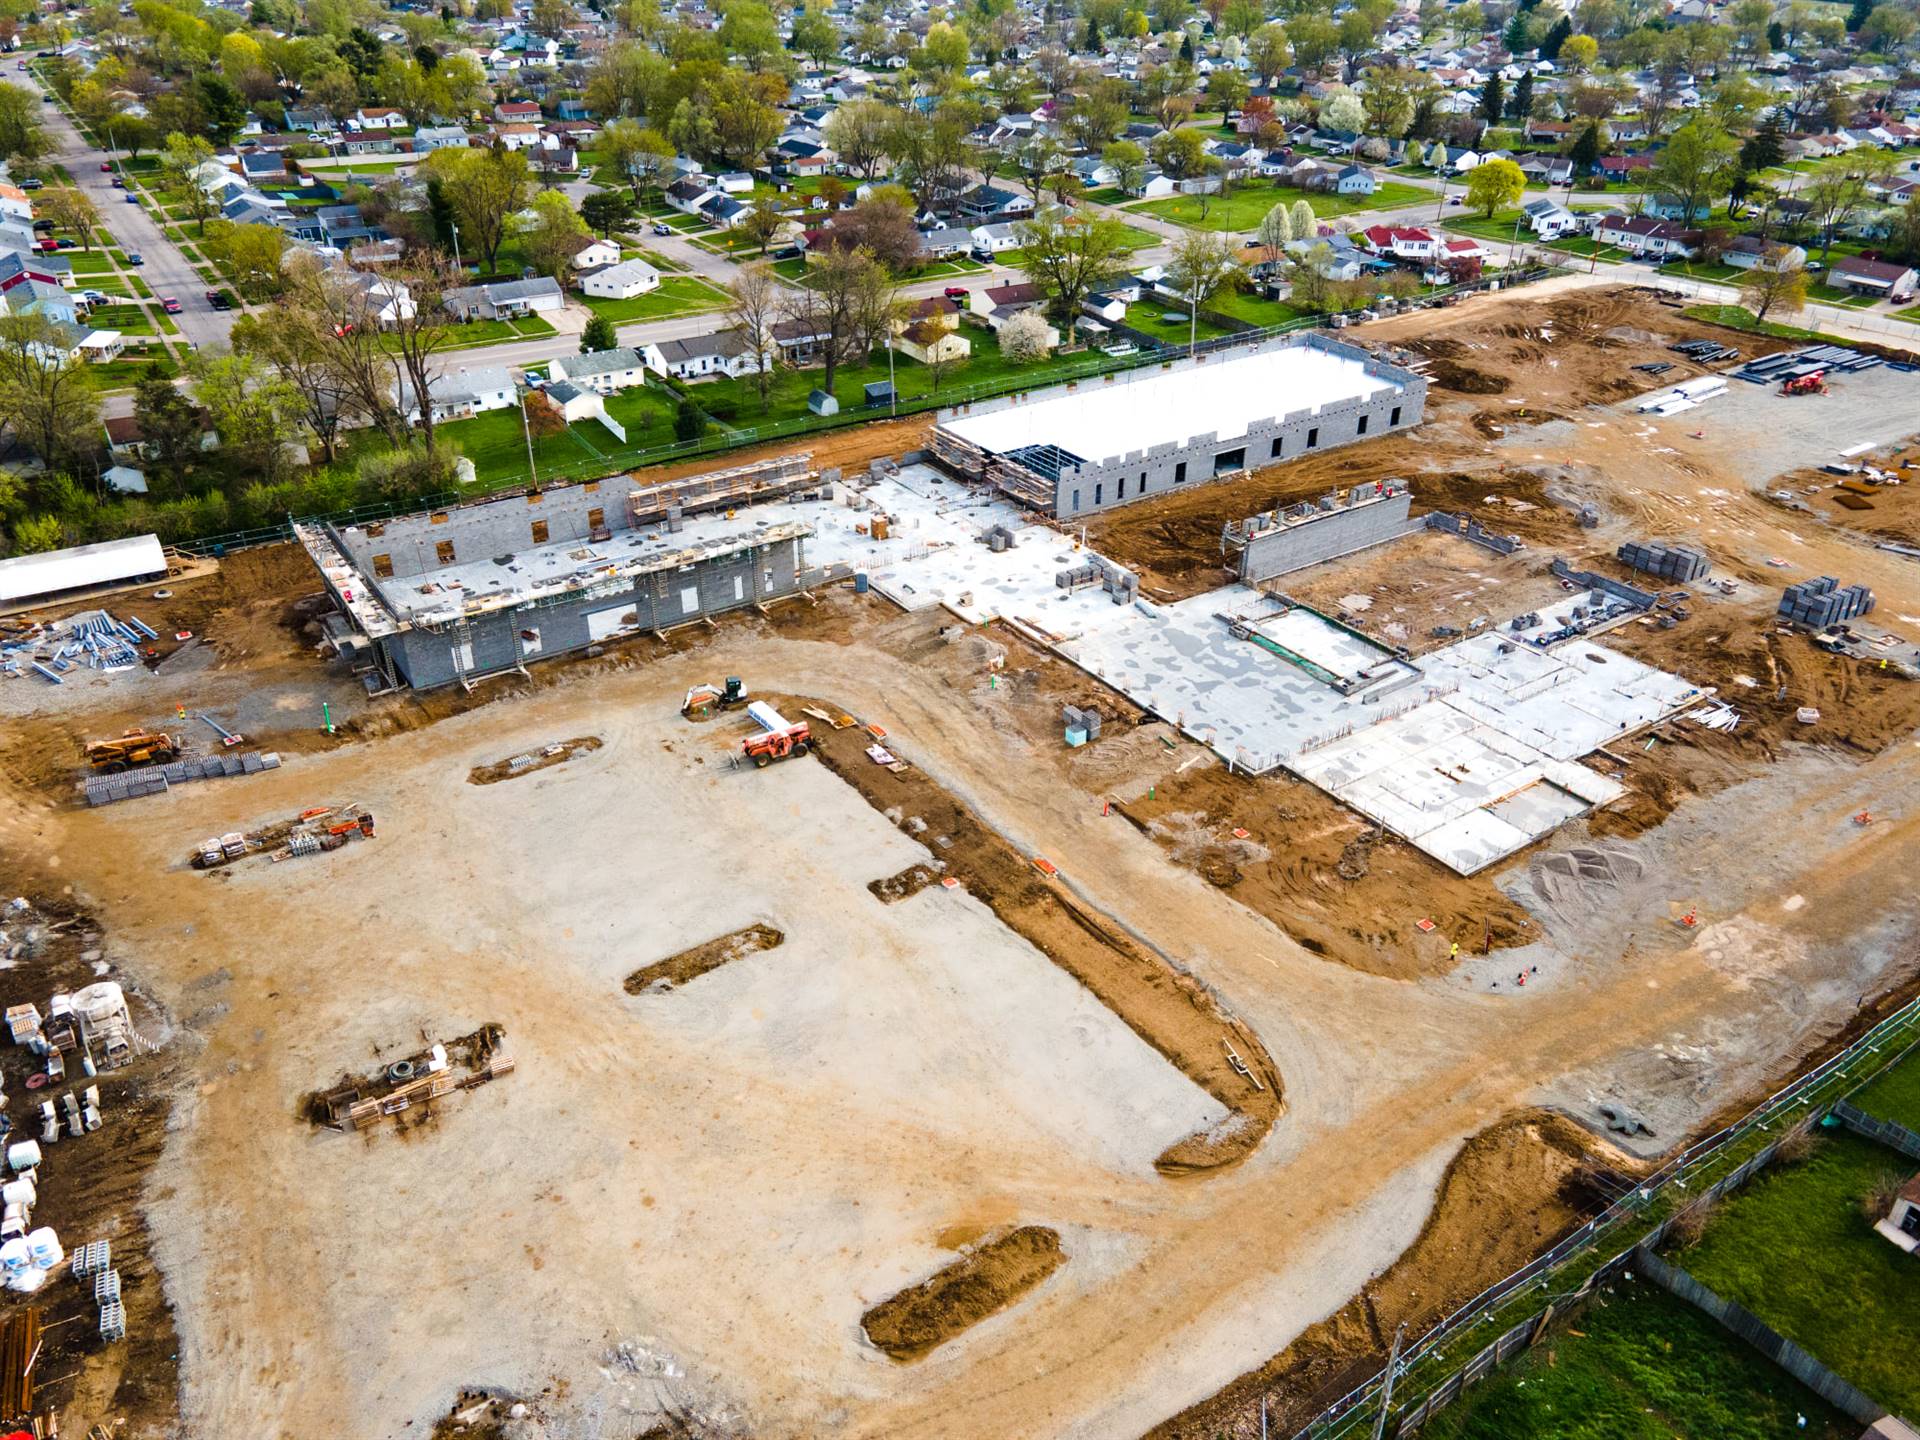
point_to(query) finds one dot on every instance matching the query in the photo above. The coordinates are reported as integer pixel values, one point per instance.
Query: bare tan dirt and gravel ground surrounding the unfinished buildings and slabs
(677, 1212)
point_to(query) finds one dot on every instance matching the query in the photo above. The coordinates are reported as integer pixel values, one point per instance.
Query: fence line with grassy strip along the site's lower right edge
(1512, 1316)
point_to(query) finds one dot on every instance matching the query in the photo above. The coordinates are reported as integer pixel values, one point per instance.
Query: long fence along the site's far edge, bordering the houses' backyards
(596, 468)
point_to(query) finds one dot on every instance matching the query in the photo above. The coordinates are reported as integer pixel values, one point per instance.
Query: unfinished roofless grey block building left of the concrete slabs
(477, 590)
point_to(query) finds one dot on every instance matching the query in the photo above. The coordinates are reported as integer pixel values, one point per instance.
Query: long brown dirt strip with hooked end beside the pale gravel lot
(1172, 1011)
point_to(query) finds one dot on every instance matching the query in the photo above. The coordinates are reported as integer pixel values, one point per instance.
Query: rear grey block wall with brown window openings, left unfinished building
(487, 529)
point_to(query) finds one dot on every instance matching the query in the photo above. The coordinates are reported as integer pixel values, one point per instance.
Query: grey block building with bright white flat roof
(1090, 446)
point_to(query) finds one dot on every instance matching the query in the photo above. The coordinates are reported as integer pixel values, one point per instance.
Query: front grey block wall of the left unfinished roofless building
(504, 640)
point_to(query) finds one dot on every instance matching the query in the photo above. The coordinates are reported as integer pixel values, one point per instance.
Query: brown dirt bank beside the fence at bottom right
(1512, 1191)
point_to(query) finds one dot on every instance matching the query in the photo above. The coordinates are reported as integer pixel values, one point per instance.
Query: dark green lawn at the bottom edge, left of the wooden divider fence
(1639, 1366)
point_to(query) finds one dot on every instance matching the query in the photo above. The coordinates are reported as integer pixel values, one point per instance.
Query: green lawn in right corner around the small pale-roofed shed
(1796, 1249)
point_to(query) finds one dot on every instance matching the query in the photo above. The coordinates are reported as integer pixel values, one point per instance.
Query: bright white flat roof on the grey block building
(1151, 408)
